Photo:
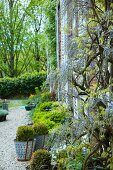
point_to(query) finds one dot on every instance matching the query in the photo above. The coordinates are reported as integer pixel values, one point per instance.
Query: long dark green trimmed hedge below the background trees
(21, 86)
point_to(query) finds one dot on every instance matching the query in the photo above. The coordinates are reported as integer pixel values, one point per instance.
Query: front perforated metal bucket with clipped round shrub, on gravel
(24, 142)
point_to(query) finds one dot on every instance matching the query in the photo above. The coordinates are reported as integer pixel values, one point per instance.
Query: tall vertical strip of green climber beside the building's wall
(50, 30)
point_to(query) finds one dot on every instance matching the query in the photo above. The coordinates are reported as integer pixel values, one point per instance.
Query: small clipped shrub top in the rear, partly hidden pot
(40, 129)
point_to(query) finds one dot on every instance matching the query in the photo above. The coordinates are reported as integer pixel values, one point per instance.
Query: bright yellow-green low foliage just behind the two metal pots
(52, 114)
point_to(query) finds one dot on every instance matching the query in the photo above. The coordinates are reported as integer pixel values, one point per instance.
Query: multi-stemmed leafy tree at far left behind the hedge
(11, 35)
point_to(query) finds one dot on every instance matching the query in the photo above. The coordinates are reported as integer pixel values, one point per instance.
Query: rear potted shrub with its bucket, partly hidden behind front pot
(41, 135)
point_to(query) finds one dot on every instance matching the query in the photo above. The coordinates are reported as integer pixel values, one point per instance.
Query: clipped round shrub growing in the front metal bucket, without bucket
(25, 133)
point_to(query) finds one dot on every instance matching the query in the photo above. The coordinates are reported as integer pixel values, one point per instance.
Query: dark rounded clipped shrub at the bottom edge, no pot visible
(41, 160)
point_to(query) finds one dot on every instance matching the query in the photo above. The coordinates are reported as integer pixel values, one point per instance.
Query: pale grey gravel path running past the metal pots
(8, 160)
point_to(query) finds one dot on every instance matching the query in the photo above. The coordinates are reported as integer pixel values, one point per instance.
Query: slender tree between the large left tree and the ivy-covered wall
(37, 17)
